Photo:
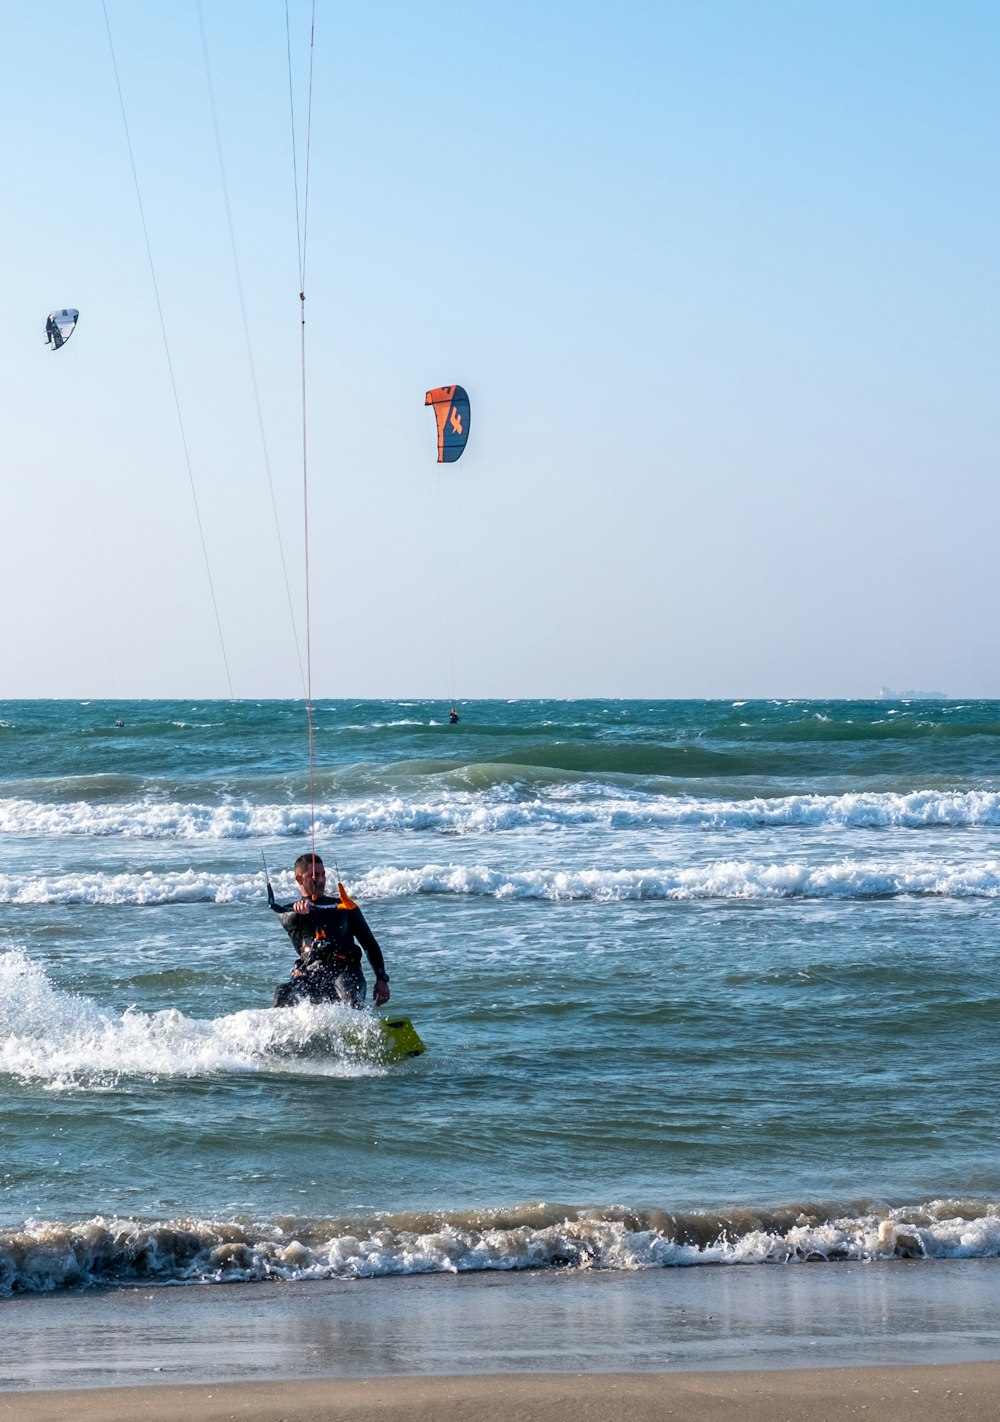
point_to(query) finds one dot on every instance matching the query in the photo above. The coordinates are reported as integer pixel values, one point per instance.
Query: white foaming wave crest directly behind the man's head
(715, 880)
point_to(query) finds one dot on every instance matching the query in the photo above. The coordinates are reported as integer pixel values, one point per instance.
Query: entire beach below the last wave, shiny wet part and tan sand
(894, 1340)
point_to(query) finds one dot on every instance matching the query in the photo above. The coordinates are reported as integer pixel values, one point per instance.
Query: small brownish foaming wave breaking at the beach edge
(43, 1256)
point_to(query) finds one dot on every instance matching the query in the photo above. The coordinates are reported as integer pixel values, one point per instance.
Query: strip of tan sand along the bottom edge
(914, 1394)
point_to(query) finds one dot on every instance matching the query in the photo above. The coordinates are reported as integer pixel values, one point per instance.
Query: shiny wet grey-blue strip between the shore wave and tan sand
(708, 1322)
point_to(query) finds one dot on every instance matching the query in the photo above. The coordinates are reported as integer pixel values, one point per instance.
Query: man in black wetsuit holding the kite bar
(326, 936)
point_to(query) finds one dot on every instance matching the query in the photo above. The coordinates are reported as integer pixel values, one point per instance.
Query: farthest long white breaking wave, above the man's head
(499, 810)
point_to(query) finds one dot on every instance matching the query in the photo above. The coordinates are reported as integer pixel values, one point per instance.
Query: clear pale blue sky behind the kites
(720, 278)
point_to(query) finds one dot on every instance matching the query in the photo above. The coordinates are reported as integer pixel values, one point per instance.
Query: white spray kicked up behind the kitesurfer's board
(66, 1042)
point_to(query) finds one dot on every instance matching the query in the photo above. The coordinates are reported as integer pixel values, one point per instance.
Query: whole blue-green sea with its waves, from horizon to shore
(702, 983)
